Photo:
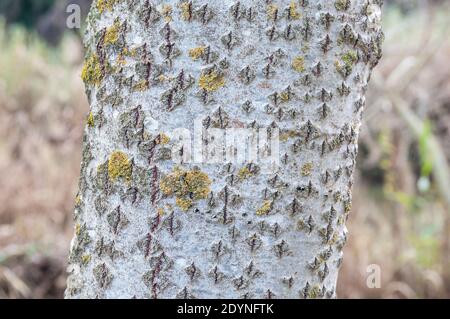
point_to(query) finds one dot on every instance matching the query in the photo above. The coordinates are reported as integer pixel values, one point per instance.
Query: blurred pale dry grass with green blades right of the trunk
(394, 224)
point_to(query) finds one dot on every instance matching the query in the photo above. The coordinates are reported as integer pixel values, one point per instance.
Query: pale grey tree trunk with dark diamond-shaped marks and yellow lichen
(155, 219)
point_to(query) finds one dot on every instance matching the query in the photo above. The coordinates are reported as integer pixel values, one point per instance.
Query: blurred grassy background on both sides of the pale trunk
(401, 211)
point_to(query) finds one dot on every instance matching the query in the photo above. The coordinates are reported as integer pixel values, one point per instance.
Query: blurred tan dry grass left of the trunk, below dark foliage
(42, 105)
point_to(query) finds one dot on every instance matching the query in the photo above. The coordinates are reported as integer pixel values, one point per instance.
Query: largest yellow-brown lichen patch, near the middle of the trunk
(186, 186)
